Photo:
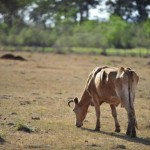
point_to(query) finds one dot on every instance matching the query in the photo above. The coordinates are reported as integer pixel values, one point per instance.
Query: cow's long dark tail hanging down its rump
(131, 98)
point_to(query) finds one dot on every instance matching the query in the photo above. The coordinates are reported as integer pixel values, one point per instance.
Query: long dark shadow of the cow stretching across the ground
(145, 141)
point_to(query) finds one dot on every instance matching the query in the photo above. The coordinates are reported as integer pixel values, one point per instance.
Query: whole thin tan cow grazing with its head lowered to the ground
(111, 85)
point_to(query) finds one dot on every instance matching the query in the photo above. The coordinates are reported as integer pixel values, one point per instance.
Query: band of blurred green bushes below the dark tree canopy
(115, 33)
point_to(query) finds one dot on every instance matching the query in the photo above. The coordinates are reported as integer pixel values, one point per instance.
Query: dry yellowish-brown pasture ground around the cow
(35, 93)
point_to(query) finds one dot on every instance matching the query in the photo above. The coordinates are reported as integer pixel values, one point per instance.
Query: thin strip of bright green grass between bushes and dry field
(80, 50)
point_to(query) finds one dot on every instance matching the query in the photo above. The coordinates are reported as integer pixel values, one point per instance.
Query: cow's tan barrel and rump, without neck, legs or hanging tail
(112, 84)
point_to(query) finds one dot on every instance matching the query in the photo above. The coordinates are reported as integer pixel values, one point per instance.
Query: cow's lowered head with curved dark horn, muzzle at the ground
(79, 112)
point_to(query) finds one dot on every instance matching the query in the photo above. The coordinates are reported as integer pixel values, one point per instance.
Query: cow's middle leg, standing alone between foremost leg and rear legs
(114, 114)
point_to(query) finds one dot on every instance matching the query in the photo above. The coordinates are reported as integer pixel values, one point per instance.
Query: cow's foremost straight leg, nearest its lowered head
(97, 109)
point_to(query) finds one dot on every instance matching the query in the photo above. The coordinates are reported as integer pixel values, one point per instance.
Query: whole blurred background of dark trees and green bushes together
(65, 23)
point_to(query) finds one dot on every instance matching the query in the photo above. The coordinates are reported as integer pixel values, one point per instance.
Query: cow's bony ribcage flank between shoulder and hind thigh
(104, 82)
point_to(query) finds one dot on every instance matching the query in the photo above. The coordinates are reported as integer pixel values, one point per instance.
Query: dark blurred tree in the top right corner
(135, 10)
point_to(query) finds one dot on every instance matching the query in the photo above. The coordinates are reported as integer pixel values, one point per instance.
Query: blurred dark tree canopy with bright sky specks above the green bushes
(71, 11)
